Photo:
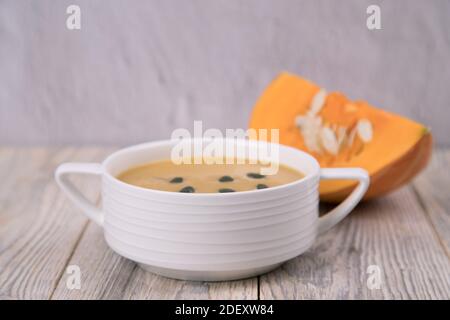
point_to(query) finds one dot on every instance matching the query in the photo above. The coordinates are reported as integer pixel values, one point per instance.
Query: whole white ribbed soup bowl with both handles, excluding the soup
(211, 236)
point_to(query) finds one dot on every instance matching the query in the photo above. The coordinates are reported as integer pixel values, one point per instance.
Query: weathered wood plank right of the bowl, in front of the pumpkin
(392, 233)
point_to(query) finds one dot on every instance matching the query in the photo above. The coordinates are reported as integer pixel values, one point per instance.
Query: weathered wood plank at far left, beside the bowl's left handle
(39, 228)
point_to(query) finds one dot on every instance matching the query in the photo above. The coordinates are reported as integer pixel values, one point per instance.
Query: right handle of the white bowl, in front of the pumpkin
(333, 217)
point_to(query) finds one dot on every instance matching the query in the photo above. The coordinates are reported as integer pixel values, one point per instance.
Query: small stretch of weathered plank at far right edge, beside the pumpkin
(433, 190)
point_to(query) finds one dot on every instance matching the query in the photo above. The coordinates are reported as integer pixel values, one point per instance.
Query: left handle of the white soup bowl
(61, 176)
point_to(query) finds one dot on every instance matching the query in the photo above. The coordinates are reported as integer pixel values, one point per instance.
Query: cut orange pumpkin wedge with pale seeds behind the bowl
(339, 132)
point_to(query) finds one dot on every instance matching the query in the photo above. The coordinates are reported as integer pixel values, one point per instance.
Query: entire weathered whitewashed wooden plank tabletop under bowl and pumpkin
(406, 235)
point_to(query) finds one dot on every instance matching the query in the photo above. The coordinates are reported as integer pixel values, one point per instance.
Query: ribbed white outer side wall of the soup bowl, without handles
(234, 231)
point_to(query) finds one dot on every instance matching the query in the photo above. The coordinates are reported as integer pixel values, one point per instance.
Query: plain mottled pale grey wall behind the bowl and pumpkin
(139, 69)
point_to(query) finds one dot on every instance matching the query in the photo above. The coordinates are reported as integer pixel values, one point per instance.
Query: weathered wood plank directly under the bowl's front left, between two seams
(106, 275)
